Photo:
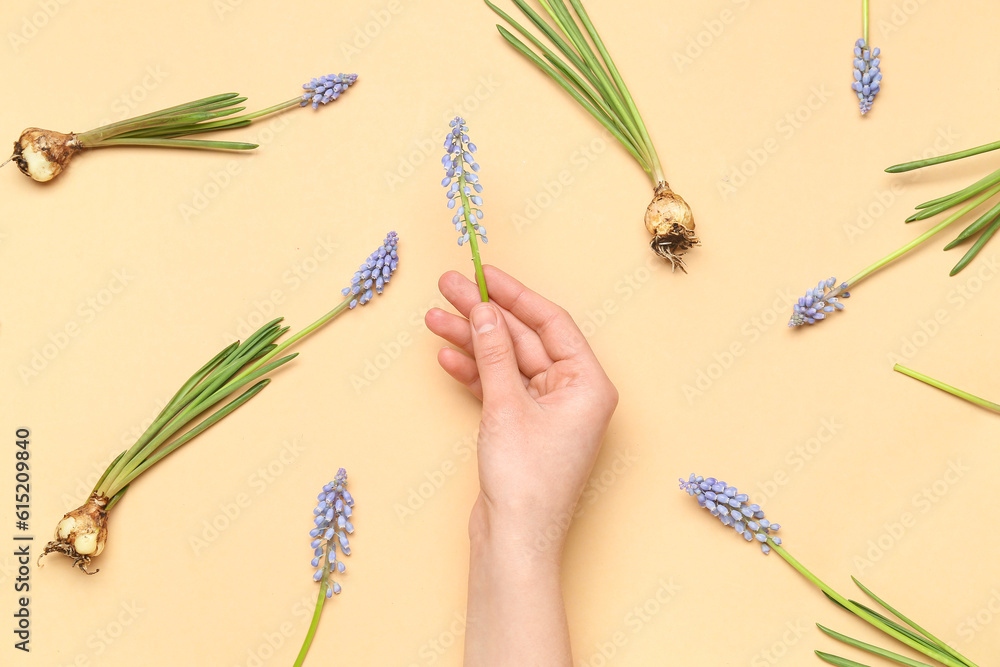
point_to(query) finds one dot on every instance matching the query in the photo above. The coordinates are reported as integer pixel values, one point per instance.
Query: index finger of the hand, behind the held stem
(555, 327)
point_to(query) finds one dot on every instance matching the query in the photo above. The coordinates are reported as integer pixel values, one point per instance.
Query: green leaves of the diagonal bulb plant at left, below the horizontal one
(232, 369)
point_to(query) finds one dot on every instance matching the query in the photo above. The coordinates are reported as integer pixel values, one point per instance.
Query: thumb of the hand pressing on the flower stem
(494, 349)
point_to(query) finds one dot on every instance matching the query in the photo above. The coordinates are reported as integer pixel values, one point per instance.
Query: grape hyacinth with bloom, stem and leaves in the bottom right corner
(734, 510)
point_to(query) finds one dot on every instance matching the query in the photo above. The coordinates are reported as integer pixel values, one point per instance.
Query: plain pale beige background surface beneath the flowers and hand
(814, 423)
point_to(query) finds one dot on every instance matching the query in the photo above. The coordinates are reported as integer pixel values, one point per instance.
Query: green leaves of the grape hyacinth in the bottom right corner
(918, 637)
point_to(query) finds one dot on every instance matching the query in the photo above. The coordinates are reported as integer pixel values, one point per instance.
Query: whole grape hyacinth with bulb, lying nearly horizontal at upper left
(44, 154)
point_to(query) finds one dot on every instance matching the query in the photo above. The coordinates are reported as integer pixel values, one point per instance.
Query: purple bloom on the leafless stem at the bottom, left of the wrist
(333, 525)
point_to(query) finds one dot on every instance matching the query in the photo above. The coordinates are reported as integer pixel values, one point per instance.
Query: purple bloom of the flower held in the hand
(461, 178)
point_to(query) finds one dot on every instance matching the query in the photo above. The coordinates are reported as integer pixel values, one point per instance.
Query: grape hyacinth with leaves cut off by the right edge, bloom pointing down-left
(828, 296)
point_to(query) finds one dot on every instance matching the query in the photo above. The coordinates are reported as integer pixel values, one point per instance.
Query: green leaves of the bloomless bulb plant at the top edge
(585, 71)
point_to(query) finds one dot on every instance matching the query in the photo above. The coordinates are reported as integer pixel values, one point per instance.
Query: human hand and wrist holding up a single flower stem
(546, 406)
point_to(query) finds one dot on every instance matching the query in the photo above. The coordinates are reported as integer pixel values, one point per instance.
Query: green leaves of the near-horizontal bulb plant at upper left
(164, 127)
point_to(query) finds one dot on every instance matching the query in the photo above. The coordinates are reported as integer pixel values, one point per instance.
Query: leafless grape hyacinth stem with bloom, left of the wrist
(332, 525)
